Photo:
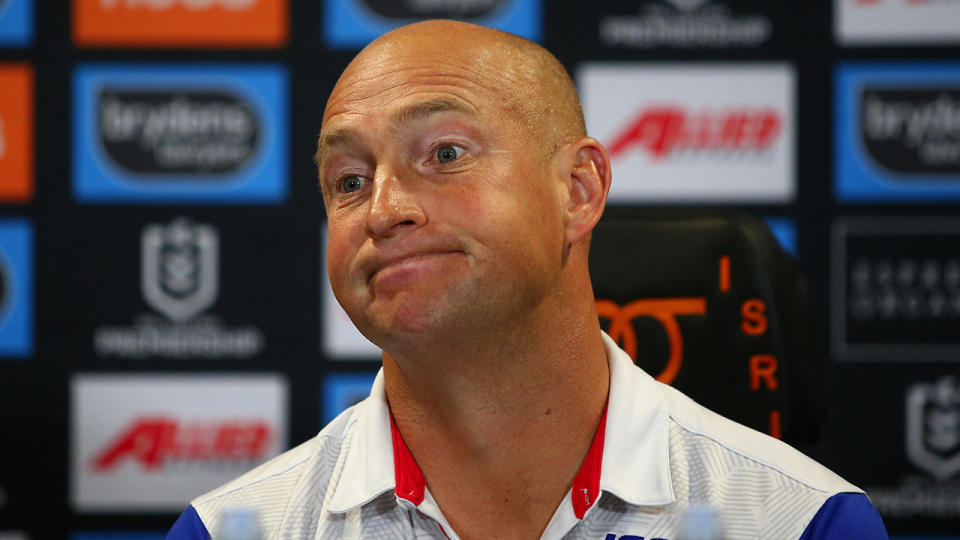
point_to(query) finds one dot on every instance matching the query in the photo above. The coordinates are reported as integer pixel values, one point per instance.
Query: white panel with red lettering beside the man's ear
(694, 133)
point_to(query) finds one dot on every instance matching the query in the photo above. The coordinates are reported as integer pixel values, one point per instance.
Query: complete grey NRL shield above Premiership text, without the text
(179, 273)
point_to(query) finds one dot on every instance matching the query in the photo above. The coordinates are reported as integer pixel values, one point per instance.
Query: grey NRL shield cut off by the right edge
(933, 427)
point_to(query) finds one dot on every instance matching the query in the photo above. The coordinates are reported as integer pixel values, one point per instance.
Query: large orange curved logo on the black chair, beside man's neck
(665, 311)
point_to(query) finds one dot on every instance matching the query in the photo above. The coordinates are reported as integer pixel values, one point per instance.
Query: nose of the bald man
(393, 206)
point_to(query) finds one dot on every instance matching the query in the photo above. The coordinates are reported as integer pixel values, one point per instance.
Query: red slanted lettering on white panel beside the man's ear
(665, 131)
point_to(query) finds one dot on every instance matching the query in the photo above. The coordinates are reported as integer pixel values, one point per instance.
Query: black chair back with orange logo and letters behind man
(710, 303)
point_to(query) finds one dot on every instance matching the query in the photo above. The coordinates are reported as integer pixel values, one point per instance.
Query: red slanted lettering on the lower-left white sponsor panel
(157, 442)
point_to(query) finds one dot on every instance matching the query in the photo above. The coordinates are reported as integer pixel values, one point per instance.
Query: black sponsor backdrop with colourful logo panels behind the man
(165, 321)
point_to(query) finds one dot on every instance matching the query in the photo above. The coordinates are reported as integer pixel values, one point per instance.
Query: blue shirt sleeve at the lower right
(846, 515)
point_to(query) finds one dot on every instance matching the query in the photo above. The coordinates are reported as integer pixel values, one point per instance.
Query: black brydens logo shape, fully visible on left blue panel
(177, 132)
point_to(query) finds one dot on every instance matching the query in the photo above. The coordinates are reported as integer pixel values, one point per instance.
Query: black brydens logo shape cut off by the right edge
(912, 130)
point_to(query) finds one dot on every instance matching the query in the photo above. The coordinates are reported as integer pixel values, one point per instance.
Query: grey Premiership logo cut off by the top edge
(685, 24)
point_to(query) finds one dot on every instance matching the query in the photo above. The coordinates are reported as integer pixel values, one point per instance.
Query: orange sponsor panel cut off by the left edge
(16, 132)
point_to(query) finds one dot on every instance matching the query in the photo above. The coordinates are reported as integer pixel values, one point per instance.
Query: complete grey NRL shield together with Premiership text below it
(179, 279)
